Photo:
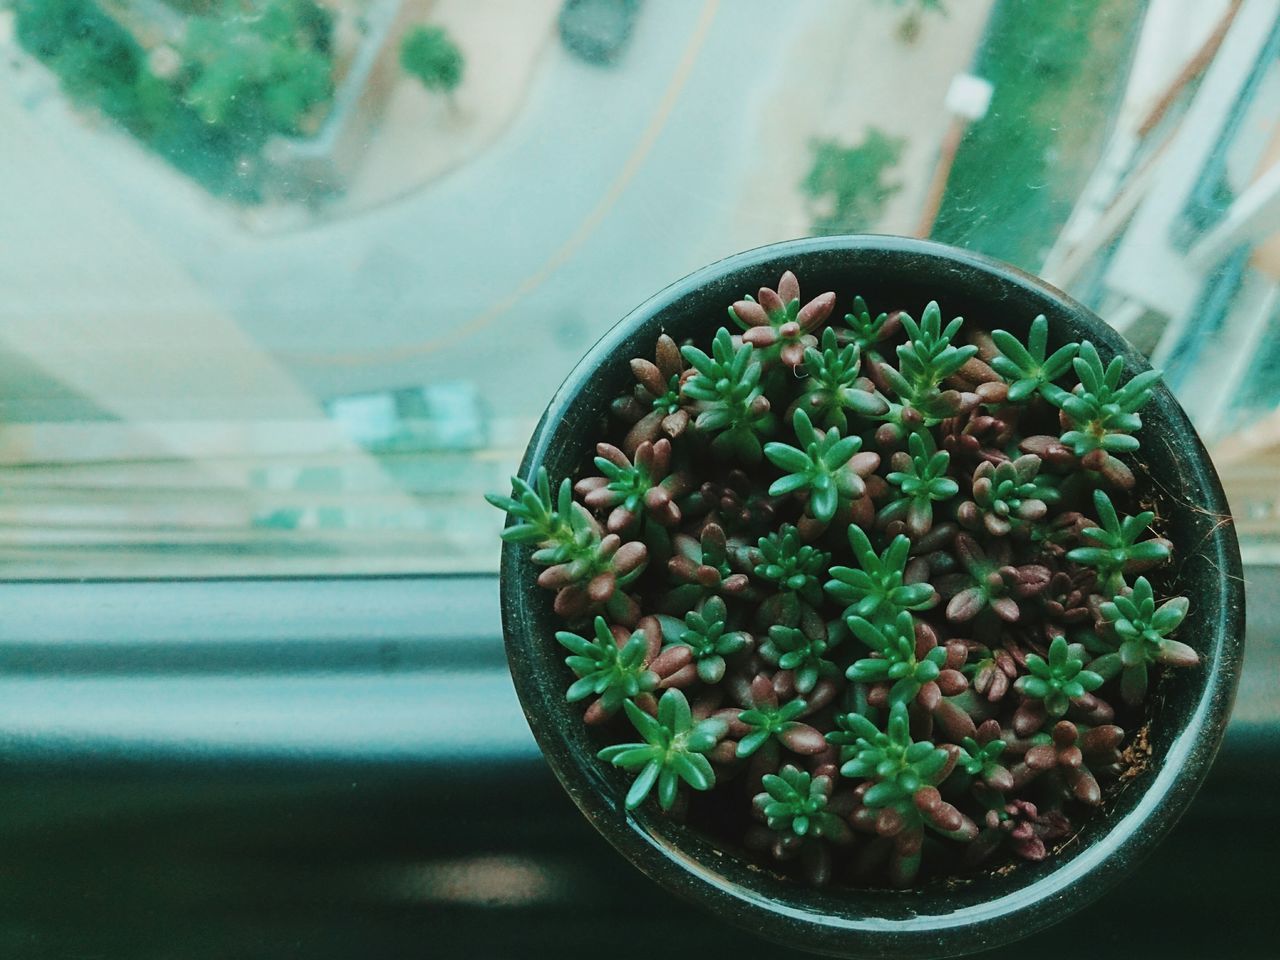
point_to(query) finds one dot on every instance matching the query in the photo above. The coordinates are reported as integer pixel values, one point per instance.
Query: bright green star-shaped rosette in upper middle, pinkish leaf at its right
(822, 469)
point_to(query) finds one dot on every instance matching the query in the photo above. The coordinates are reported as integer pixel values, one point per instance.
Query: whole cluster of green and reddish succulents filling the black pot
(872, 596)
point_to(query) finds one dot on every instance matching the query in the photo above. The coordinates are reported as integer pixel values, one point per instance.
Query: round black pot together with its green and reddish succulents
(898, 634)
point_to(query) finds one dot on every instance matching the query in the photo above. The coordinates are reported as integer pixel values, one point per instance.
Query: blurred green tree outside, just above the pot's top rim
(851, 182)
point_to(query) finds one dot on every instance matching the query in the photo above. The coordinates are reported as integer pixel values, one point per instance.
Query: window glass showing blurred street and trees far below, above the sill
(285, 285)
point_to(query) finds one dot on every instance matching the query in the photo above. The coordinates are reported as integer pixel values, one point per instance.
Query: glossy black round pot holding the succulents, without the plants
(1191, 708)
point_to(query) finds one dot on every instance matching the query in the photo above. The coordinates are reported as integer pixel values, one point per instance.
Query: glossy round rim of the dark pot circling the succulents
(1064, 889)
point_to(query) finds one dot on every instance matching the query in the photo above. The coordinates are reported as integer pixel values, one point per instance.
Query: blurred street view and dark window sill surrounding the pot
(285, 286)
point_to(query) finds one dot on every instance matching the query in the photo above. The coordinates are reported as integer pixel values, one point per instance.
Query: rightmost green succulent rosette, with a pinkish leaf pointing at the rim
(1137, 638)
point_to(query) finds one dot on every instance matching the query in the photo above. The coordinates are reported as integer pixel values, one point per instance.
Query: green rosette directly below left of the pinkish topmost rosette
(728, 397)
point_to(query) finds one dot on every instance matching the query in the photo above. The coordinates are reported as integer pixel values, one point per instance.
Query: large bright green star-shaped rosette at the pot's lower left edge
(674, 751)
